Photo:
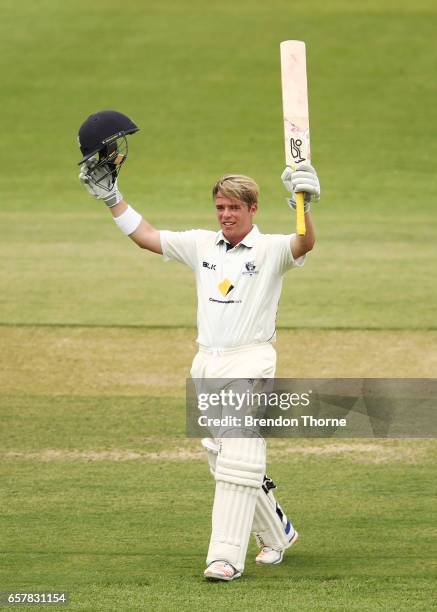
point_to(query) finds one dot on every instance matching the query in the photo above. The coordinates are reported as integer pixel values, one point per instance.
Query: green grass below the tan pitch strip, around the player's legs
(120, 533)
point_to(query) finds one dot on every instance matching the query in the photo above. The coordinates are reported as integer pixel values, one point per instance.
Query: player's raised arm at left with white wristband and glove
(99, 183)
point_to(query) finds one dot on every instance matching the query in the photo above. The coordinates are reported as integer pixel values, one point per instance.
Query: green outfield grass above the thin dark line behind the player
(204, 87)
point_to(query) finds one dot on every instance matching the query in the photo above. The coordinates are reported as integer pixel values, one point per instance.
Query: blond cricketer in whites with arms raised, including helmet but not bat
(239, 273)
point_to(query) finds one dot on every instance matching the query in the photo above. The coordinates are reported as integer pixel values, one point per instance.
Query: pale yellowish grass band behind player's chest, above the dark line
(69, 268)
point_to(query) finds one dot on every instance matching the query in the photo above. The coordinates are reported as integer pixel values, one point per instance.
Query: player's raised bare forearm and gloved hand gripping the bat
(303, 179)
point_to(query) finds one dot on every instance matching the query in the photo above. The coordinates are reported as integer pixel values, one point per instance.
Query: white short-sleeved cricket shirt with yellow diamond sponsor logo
(238, 289)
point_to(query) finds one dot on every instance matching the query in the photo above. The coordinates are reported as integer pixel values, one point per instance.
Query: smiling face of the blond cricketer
(235, 217)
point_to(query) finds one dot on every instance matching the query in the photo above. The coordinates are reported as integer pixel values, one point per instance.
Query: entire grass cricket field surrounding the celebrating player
(101, 493)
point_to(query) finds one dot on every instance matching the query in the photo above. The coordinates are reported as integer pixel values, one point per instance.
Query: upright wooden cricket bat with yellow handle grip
(295, 109)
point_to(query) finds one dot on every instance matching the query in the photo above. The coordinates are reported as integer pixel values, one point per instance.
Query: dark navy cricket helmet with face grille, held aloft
(103, 136)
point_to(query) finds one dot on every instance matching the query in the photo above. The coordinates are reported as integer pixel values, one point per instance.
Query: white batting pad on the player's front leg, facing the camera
(239, 473)
